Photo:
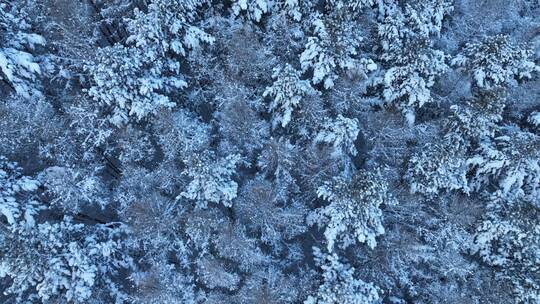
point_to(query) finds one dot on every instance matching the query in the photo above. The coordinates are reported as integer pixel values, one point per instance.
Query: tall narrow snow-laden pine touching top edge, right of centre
(411, 63)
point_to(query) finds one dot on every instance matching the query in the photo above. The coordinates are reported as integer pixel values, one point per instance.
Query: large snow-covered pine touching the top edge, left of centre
(137, 79)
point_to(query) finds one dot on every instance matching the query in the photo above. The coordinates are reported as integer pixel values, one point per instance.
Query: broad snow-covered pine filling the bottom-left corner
(64, 262)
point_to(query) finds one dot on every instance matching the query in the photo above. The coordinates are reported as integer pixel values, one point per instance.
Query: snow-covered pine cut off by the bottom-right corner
(508, 239)
